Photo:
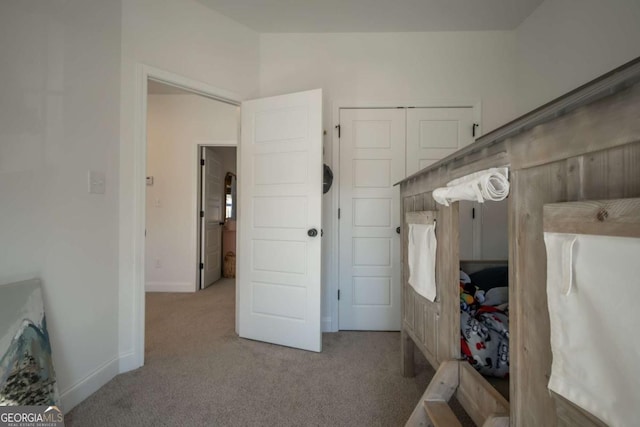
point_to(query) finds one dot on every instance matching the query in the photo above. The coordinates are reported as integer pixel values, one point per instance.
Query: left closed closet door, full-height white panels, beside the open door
(372, 160)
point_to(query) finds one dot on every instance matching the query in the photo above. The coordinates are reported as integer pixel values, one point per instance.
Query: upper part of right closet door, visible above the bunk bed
(434, 133)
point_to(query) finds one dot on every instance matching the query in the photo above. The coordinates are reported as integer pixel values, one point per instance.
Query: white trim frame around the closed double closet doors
(332, 219)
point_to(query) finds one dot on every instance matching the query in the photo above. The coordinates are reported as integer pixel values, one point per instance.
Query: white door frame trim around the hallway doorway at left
(137, 238)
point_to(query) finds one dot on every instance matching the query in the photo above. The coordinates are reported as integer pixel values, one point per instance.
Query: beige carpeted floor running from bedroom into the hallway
(199, 373)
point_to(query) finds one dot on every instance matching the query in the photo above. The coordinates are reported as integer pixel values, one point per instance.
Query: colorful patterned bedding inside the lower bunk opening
(484, 329)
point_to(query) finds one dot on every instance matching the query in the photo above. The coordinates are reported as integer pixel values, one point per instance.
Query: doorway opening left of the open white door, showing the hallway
(191, 145)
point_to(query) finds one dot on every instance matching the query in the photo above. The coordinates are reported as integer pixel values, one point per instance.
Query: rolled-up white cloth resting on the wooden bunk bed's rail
(491, 184)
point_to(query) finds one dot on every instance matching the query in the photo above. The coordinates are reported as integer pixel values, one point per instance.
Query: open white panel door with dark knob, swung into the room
(280, 190)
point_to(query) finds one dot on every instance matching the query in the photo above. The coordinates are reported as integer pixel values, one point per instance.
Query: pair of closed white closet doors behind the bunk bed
(379, 147)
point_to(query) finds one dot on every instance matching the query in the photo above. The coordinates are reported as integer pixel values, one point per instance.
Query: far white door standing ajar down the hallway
(212, 217)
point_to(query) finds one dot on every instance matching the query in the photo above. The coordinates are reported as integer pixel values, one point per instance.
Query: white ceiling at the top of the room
(329, 16)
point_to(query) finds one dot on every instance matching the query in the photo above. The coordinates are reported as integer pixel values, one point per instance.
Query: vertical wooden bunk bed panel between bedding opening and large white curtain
(530, 355)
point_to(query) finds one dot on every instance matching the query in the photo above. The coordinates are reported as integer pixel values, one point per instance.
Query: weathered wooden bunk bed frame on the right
(580, 147)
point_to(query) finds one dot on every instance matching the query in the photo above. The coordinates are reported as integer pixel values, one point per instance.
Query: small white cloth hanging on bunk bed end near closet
(422, 259)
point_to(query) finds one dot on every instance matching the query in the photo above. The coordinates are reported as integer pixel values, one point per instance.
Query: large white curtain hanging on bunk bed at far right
(592, 286)
